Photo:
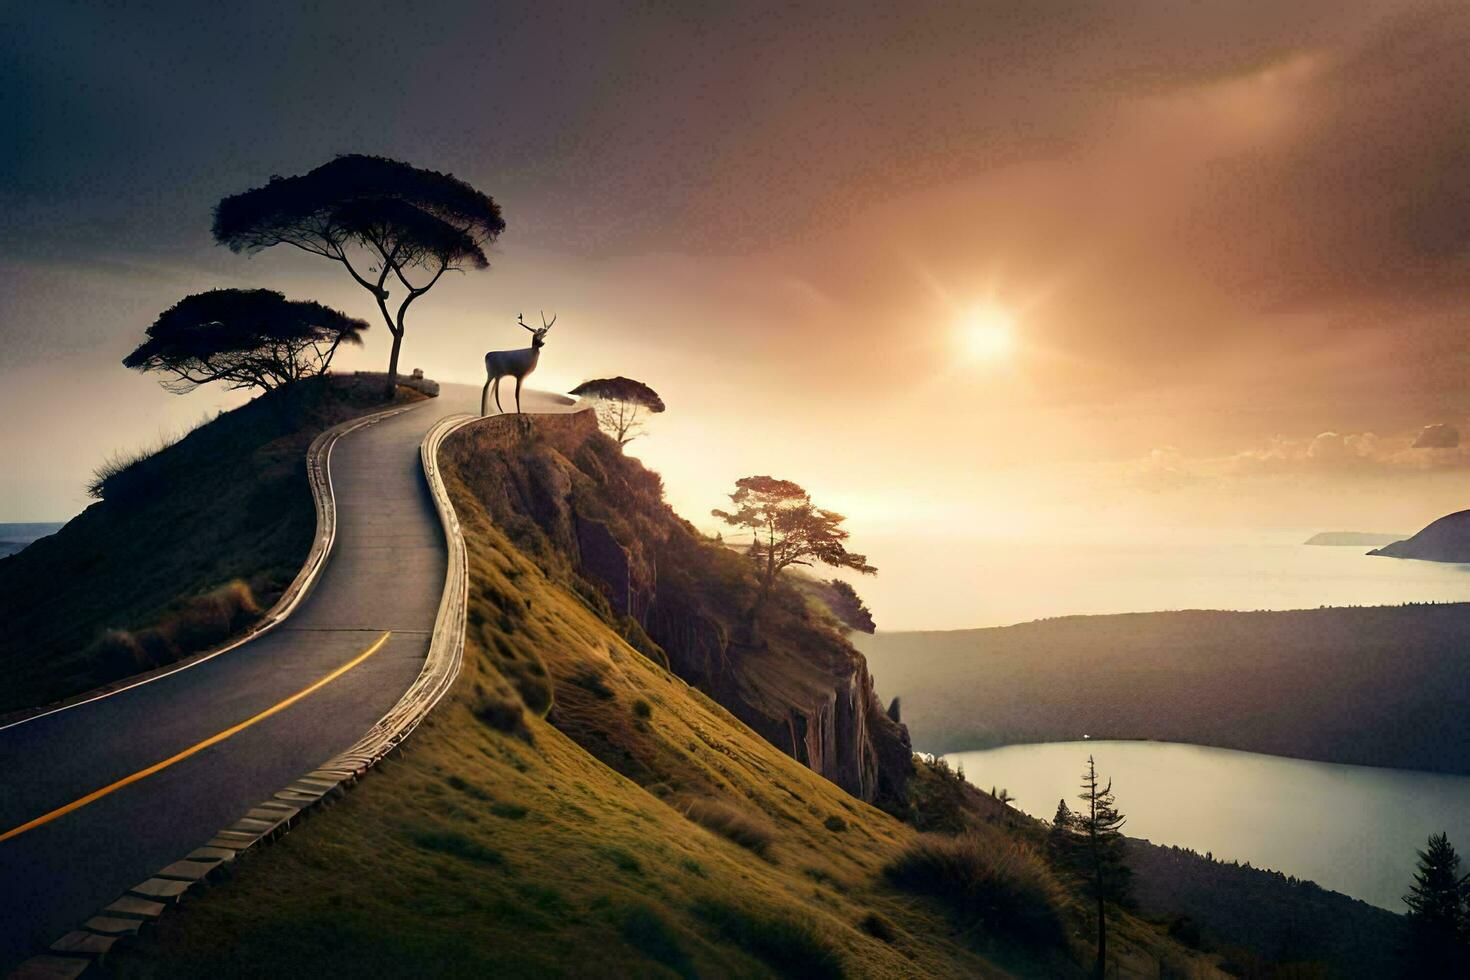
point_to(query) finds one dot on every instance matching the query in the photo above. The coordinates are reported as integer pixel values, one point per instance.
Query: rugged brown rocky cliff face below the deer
(592, 516)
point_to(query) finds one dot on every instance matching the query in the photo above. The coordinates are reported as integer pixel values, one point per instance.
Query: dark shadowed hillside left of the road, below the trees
(187, 549)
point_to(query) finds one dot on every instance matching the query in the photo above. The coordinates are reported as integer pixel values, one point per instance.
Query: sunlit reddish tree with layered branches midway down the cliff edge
(787, 530)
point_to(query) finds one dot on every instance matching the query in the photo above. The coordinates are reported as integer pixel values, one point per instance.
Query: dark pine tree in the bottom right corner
(1437, 912)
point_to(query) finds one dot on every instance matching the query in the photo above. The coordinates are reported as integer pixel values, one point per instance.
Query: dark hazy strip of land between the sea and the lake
(1374, 687)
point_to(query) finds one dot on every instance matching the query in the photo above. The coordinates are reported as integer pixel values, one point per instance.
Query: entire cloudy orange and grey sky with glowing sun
(969, 273)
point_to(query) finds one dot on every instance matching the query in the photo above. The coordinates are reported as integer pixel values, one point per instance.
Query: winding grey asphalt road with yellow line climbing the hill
(98, 797)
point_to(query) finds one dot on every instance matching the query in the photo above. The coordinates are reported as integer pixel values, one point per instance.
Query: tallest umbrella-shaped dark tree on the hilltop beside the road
(380, 218)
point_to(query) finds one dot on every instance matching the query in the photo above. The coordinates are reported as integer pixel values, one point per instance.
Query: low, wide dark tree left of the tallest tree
(245, 339)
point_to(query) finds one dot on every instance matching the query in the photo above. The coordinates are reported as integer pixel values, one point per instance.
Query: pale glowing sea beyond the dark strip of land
(996, 581)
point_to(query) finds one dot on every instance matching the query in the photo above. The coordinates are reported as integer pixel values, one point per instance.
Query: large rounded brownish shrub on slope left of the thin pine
(999, 885)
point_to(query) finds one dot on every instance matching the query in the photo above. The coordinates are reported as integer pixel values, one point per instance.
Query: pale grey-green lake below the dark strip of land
(1347, 828)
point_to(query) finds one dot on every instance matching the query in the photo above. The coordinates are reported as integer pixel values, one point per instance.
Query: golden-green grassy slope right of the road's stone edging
(574, 809)
